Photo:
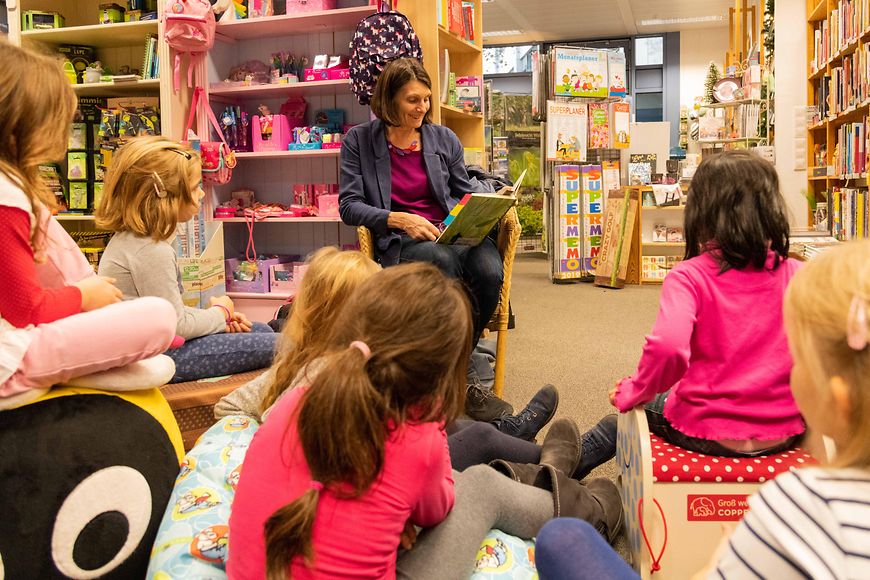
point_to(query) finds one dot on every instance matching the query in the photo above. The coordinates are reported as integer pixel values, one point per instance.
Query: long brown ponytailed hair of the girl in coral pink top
(417, 323)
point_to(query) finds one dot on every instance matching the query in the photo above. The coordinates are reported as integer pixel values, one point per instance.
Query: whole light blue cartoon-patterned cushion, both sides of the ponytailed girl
(193, 535)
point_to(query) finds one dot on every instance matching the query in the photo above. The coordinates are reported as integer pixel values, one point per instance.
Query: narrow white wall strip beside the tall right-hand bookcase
(791, 90)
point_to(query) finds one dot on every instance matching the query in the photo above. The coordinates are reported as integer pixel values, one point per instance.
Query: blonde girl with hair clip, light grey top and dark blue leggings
(152, 185)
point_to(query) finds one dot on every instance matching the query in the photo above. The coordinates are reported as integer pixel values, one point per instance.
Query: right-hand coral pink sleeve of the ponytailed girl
(436, 497)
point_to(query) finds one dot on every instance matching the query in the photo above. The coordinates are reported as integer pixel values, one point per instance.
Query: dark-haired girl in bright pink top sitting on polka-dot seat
(714, 373)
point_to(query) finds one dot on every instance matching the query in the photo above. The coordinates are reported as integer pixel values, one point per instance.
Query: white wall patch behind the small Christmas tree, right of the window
(697, 48)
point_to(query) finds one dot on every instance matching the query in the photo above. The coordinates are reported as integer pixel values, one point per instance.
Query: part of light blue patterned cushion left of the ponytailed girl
(192, 539)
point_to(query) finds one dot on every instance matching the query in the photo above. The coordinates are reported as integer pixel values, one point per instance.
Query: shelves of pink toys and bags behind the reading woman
(286, 133)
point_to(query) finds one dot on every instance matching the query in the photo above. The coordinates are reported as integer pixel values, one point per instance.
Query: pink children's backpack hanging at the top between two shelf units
(188, 27)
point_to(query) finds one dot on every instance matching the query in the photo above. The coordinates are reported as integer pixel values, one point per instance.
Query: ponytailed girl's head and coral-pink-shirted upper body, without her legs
(336, 478)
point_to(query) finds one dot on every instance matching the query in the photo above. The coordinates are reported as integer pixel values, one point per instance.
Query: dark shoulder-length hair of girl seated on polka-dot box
(736, 210)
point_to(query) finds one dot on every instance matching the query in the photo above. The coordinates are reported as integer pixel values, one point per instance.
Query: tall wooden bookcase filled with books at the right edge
(850, 48)
